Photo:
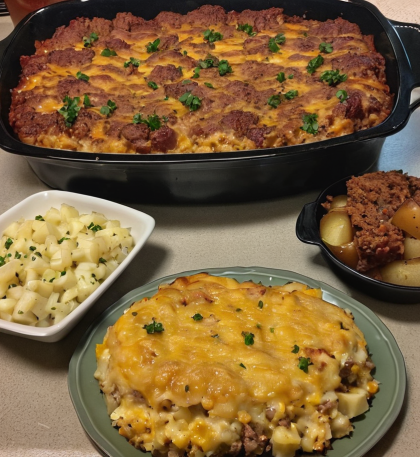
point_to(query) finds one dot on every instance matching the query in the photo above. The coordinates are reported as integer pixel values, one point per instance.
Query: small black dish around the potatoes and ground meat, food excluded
(307, 230)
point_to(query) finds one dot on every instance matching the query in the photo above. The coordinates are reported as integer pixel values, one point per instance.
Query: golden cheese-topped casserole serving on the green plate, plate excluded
(211, 366)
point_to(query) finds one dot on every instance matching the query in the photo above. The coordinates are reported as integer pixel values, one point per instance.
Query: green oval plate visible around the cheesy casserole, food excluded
(369, 428)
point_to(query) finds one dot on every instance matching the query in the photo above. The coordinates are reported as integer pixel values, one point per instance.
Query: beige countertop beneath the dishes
(38, 418)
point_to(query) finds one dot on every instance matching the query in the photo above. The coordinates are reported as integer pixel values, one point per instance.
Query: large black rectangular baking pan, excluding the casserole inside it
(205, 177)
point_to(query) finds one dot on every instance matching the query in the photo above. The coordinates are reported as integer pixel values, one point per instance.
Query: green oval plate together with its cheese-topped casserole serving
(205, 416)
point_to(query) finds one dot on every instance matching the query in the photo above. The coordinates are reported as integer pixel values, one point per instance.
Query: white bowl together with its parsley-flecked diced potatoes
(59, 251)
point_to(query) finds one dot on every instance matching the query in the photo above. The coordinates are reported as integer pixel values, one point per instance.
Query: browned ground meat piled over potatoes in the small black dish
(372, 200)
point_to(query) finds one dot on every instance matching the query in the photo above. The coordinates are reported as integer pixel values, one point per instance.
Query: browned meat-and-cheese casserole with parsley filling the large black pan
(206, 81)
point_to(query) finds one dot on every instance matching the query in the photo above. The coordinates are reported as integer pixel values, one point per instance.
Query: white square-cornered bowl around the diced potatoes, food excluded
(141, 225)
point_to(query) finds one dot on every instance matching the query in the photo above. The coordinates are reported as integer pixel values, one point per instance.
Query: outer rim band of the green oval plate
(329, 294)
